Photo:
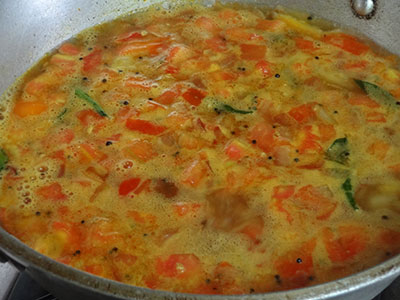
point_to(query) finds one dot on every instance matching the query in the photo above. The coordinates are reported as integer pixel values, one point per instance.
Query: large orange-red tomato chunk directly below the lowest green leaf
(349, 242)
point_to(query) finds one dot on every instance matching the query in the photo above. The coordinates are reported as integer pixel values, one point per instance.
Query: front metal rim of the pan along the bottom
(69, 283)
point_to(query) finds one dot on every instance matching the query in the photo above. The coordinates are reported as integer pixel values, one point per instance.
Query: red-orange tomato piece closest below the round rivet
(346, 42)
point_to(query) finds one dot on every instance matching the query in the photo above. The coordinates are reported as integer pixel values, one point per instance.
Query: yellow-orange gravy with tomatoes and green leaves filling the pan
(222, 150)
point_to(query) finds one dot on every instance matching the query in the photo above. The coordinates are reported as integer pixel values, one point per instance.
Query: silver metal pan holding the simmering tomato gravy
(30, 28)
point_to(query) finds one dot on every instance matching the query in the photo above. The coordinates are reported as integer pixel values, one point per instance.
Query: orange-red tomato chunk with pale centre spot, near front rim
(179, 266)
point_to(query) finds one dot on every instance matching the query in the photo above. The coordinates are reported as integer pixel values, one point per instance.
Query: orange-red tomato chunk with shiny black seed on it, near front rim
(296, 266)
